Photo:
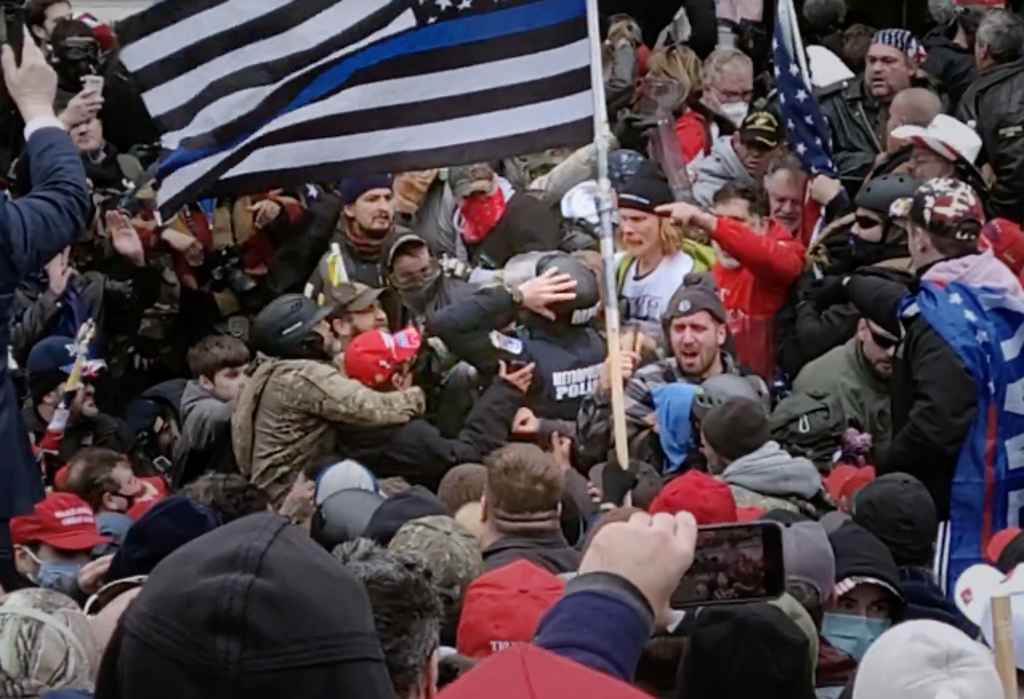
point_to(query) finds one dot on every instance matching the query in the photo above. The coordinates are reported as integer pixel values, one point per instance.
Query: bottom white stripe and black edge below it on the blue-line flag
(475, 139)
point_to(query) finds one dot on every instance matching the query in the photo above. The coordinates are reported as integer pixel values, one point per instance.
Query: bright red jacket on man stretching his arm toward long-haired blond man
(755, 292)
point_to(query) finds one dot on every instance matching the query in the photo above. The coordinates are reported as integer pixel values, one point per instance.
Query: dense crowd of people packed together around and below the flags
(358, 436)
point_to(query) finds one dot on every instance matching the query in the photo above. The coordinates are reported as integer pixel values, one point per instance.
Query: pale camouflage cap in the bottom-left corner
(47, 644)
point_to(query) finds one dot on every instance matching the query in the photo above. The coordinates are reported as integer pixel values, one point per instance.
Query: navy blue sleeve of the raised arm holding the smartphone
(603, 623)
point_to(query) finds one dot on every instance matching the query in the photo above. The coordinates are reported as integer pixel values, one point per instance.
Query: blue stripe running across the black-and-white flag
(442, 35)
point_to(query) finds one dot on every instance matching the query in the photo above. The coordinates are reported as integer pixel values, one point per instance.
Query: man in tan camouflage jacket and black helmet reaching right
(289, 411)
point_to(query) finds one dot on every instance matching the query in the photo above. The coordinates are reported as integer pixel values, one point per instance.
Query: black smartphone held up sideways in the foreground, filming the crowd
(734, 563)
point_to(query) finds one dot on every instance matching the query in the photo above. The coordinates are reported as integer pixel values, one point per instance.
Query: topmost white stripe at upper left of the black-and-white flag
(200, 22)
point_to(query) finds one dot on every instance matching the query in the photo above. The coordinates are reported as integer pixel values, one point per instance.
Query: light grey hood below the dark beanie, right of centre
(771, 479)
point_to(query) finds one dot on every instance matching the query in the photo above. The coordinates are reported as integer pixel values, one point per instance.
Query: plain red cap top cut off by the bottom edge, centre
(532, 673)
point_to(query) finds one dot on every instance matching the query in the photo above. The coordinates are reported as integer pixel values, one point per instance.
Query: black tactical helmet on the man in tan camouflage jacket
(285, 328)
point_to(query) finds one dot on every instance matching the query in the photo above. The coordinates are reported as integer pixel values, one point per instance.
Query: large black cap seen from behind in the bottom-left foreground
(253, 609)
